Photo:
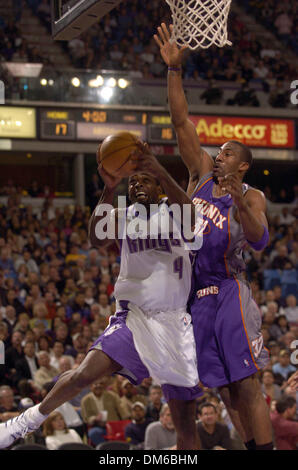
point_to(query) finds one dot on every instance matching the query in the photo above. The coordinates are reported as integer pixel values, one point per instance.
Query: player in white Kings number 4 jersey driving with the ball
(151, 333)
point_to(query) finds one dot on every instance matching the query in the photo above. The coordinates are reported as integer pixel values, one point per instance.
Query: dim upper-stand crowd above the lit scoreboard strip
(123, 40)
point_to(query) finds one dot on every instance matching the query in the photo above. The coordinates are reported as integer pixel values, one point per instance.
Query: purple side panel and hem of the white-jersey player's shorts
(117, 343)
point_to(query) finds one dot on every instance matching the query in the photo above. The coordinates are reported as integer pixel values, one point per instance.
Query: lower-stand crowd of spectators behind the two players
(56, 297)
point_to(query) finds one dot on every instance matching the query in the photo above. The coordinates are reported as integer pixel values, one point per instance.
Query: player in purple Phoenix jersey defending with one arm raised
(226, 320)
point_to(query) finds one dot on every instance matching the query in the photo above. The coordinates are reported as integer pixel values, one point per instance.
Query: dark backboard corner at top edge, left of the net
(71, 17)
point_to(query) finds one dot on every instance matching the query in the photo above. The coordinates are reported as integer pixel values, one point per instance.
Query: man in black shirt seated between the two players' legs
(213, 434)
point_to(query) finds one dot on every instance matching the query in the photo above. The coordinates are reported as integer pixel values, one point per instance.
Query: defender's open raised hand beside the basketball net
(169, 50)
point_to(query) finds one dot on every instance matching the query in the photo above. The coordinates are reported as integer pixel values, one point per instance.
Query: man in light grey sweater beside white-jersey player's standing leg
(161, 435)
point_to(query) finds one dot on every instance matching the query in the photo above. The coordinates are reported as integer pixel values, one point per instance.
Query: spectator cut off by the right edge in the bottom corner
(284, 426)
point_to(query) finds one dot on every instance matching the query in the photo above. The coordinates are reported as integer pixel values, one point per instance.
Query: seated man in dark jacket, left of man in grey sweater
(135, 431)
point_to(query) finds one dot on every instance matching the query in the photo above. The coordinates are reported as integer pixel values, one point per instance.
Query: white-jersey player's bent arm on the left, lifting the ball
(107, 197)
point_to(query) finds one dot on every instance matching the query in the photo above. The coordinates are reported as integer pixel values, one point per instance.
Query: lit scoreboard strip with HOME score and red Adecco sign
(93, 125)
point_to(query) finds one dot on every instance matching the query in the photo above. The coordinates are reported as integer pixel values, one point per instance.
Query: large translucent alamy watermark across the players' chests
(155, 222)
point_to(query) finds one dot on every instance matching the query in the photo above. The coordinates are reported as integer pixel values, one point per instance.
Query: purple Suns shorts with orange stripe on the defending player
(227, 329)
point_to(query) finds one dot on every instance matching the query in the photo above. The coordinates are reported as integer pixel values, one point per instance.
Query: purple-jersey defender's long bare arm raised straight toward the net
(196, 159)
